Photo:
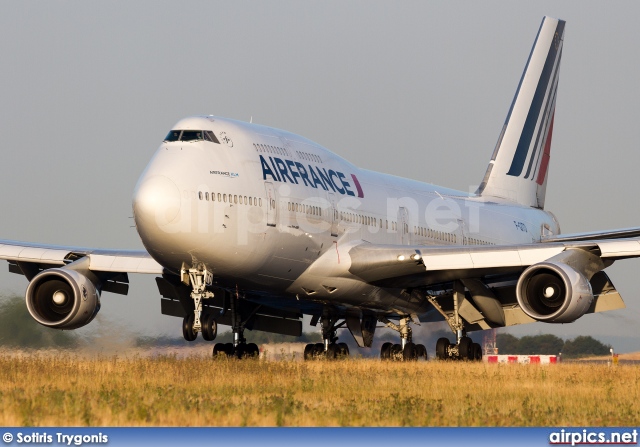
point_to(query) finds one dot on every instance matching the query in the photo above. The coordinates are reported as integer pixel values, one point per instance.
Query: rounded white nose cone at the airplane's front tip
(156, 203)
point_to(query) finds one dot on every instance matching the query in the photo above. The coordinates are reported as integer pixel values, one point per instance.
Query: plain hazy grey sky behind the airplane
(417, 89)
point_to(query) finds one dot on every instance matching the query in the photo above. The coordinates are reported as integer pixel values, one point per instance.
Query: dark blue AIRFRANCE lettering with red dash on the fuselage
(294, 172)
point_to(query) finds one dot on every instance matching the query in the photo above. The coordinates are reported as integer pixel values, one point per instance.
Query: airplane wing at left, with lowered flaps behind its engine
(111, 266)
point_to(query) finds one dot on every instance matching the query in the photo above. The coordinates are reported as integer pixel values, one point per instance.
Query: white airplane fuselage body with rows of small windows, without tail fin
(267, 210)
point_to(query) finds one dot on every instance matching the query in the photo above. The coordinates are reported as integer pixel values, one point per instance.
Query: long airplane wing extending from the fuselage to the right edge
(420, 265)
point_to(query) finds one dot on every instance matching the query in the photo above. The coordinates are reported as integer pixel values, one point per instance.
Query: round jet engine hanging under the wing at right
(554, 292)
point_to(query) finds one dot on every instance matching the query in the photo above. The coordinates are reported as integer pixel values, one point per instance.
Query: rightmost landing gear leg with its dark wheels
(464, 348)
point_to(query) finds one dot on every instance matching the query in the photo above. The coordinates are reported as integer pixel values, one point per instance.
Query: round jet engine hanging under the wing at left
(62, 298)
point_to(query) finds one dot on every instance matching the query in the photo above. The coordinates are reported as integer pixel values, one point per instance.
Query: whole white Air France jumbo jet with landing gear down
(254, 227)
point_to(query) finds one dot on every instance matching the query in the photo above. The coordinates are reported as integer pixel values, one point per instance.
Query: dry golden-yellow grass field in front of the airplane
(66, 390)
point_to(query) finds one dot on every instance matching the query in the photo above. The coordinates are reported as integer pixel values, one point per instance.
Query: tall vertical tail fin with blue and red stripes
(518, 169)
